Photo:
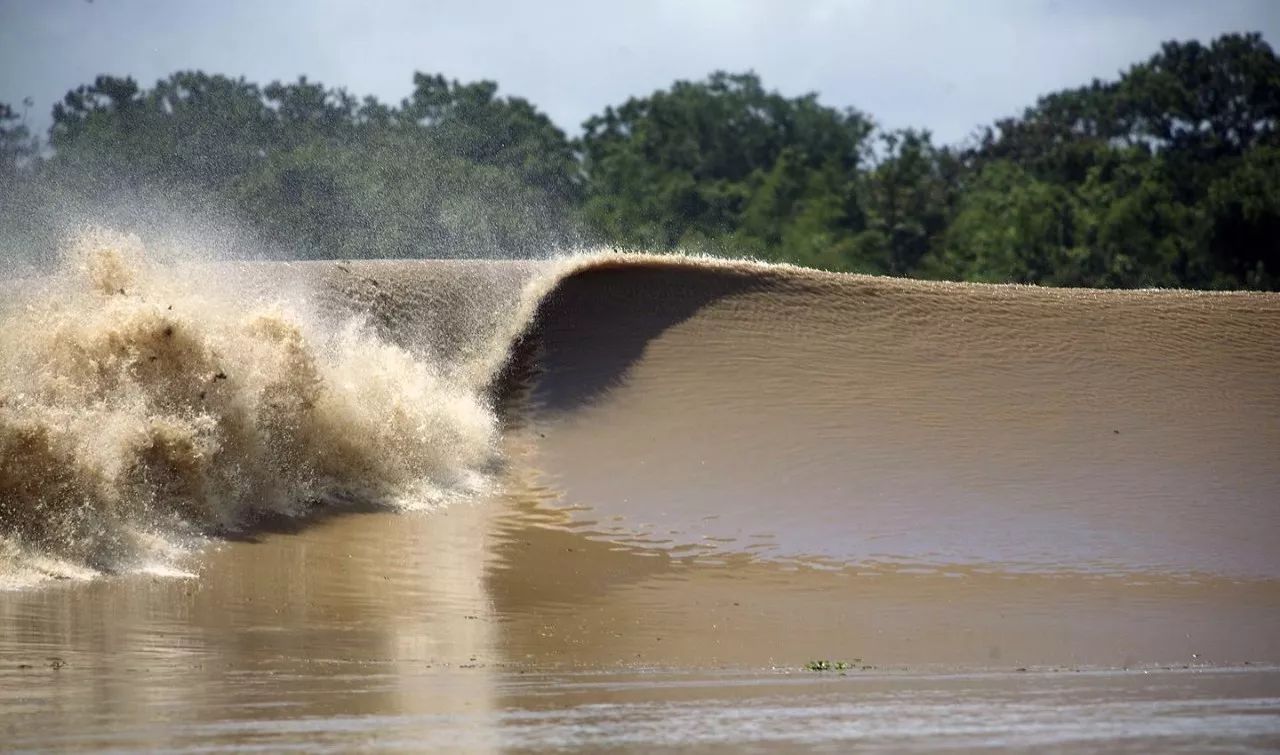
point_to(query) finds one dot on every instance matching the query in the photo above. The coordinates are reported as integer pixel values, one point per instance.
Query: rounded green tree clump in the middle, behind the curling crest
(687, 162)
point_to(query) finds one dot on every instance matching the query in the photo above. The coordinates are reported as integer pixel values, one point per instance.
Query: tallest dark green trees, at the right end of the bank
(1167, 168)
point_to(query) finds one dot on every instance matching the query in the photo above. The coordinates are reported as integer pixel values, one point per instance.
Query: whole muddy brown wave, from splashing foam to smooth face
(852, 419)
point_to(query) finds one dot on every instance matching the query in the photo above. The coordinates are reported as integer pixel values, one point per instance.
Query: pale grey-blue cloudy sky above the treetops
(945, 66)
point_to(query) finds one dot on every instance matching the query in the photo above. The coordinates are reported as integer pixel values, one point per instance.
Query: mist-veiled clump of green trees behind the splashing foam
(456, 168)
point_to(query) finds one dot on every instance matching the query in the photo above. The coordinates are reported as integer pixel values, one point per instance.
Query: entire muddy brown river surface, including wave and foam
(623, 501)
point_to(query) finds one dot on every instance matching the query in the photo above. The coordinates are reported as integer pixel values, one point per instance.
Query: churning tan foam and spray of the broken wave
(143, 405)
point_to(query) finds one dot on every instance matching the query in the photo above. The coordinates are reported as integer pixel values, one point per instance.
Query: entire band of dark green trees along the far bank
(1168, 176)
